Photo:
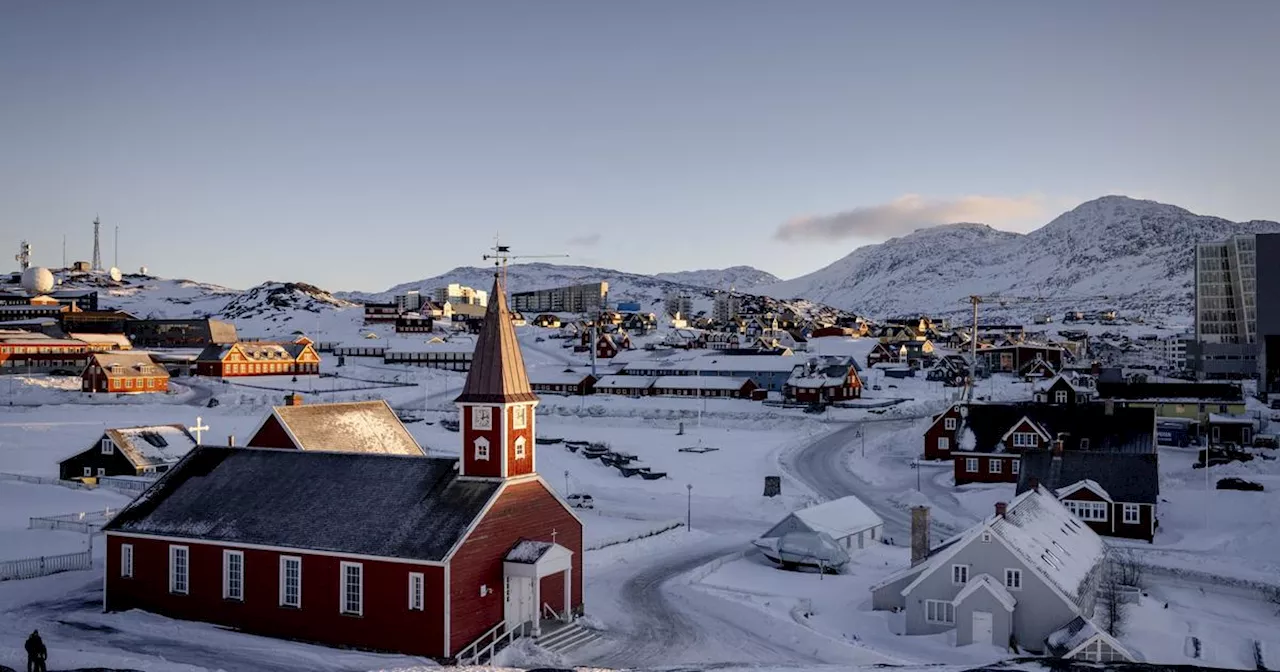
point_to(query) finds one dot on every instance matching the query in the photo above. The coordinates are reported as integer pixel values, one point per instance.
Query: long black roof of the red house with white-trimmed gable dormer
(1124, 431)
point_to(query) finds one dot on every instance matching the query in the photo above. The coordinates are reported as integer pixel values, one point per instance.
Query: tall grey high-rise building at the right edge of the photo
(1235, 300)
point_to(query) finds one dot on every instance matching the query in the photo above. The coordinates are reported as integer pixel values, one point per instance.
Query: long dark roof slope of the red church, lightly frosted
(373, 505)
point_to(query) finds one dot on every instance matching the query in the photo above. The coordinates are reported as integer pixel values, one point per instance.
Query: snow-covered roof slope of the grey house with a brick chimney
(1049, 538)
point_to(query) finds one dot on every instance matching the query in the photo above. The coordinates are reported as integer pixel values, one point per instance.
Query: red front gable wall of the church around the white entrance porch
(525, 510)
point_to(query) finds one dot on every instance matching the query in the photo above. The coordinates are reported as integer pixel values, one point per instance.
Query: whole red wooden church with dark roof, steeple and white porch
(426, 556)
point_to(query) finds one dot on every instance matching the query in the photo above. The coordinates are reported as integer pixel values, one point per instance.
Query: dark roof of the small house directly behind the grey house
(1126, 477)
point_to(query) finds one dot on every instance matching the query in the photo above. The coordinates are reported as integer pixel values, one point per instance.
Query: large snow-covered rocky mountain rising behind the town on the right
(1118, 253)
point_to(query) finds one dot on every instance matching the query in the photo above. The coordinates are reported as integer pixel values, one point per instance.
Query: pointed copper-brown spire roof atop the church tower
(497, 372)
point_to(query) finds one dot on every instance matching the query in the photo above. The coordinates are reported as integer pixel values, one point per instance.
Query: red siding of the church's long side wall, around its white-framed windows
(386, 625)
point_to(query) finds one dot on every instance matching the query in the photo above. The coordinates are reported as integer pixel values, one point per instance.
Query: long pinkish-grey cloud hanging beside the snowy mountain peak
(911, 213)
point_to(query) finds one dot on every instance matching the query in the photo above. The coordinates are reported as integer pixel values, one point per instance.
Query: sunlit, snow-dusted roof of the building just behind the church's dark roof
(350, 428)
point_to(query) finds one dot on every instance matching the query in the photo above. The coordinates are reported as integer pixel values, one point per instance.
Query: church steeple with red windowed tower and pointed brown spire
(496, 409)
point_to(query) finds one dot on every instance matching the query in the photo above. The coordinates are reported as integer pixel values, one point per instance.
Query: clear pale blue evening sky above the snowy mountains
(358, 145)
